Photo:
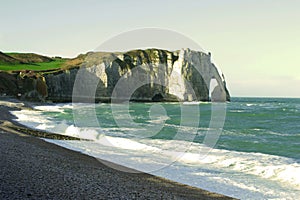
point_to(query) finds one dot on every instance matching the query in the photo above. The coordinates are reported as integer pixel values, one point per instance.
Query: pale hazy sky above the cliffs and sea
(256, 43)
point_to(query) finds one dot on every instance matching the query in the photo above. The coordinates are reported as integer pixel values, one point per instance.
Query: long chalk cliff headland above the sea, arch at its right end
(141, 75)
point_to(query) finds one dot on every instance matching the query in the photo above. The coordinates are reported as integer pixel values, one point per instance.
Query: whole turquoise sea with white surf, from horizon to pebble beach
(248, 148)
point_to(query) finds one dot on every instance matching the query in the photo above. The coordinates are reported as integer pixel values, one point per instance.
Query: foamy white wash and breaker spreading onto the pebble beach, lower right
(243, 175)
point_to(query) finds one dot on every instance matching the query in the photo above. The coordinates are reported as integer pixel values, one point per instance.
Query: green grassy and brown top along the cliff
(36, 62)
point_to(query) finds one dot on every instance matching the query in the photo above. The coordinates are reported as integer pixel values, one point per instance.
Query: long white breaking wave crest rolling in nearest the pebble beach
(266, 166)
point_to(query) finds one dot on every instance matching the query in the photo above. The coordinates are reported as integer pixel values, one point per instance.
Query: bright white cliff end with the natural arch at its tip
(199, 73)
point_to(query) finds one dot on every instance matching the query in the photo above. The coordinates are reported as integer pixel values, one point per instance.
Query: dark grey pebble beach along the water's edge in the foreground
(33, 168)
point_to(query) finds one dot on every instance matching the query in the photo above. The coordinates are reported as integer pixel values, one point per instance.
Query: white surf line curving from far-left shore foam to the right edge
(262, 165)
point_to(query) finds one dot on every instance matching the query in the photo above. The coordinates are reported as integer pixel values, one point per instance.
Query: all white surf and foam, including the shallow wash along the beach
(255, 172)
